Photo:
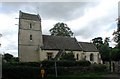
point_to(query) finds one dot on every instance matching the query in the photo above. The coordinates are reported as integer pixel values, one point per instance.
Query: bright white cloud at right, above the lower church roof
(96, 20)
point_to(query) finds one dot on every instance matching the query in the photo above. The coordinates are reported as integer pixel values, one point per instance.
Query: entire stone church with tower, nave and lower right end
(35, 47)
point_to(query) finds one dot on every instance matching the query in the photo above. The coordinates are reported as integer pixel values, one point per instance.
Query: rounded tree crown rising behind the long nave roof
(61, 29)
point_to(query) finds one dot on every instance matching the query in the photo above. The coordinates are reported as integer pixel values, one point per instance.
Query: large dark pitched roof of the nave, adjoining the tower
(60, 43)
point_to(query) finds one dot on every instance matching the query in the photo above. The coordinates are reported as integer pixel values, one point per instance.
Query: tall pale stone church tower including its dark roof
(29, 37)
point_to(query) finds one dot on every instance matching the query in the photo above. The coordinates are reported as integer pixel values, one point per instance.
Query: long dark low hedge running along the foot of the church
(50, 63)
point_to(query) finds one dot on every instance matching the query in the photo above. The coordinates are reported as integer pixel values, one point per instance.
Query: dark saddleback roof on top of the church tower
(29, 16)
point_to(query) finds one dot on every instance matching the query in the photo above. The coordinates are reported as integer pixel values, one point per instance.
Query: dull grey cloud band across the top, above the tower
(62, 11)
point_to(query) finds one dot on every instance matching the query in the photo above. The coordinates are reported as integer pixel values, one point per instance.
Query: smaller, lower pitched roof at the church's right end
(88, 47)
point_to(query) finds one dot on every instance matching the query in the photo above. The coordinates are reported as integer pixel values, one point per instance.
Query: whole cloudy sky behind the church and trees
(86, 19)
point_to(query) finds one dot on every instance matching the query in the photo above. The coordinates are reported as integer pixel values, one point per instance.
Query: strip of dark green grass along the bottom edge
(98, 75)
